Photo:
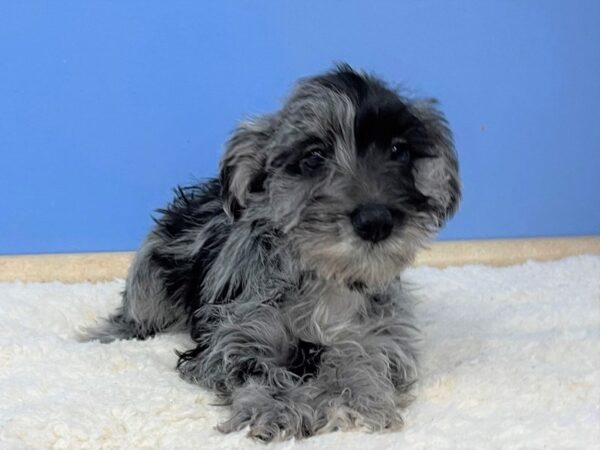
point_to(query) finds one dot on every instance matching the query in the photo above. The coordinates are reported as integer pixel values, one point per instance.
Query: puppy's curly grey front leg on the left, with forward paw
(249, 358)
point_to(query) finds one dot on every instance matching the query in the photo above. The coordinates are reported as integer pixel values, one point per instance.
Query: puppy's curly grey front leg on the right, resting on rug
(363, 380)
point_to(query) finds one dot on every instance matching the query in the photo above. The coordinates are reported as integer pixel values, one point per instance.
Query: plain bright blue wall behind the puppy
(106, 105)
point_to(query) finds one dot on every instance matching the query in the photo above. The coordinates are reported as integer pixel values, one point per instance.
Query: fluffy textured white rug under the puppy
(511, 359)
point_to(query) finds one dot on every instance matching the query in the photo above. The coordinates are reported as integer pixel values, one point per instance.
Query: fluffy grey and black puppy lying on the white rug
(286, 268)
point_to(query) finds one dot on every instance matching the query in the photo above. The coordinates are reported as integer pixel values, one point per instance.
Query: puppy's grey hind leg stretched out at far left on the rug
(145, 311)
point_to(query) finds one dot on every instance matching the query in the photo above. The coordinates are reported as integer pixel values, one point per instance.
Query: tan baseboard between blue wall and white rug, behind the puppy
(73, 268)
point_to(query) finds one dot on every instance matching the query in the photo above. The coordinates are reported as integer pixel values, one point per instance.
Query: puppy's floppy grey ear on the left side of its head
(243, 163)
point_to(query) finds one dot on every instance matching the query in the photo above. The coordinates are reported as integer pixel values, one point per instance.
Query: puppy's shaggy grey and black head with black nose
(355, 176)
